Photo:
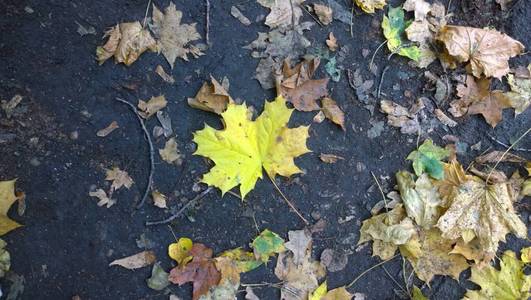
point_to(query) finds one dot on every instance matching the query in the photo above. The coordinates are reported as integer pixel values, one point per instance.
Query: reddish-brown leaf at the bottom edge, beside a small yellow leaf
(201, 271)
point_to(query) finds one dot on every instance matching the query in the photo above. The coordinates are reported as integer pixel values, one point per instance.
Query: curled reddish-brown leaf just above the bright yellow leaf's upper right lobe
(298, 87)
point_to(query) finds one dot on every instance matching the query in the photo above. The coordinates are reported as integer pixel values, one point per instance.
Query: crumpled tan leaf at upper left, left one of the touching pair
(126, 42)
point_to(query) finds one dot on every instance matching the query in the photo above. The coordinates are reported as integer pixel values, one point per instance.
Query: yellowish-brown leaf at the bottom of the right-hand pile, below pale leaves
(429, 256)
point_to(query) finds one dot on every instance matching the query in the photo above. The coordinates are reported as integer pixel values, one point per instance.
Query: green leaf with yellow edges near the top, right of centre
(394, 28)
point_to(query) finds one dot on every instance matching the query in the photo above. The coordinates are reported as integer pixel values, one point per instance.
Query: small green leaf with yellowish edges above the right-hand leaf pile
(427, 159)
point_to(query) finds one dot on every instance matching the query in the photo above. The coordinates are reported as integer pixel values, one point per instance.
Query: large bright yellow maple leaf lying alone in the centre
(244, 147)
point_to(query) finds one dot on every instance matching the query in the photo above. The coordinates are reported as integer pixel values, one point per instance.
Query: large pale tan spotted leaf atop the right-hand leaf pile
(482, 211)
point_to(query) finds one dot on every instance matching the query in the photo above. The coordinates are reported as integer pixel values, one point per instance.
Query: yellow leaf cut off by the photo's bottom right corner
(510, 282)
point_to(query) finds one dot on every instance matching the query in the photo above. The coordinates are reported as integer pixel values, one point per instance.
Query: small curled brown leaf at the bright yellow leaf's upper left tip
(211, 97)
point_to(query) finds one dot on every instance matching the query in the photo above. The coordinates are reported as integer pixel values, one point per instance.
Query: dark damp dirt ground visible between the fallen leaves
(50, 145)
